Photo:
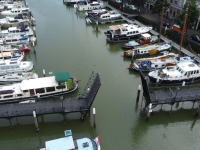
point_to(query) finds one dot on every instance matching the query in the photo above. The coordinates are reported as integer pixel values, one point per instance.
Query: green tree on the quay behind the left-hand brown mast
(158, 6)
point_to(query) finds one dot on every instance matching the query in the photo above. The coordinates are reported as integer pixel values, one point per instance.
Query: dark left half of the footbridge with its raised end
(80, 104)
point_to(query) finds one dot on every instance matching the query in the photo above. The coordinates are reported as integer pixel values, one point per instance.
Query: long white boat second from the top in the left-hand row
(14, 11)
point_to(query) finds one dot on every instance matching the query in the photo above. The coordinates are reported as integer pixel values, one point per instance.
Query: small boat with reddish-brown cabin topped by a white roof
(144, 39)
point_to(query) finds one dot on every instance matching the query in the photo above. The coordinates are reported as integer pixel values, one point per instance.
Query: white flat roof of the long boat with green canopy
(39, 83)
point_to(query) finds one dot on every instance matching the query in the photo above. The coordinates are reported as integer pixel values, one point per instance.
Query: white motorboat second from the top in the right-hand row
(90, 6)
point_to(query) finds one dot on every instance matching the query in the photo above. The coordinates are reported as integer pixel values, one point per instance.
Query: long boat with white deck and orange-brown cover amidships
(147, 50)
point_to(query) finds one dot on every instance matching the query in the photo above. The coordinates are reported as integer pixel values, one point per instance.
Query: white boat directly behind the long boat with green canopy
(17, 77)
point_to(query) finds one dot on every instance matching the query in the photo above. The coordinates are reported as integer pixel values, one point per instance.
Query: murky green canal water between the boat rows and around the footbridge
(66, 43)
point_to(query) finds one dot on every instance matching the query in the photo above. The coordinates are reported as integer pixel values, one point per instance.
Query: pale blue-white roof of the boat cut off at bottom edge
(65, 143)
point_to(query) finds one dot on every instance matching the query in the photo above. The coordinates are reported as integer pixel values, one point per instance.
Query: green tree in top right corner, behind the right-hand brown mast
(192, 14)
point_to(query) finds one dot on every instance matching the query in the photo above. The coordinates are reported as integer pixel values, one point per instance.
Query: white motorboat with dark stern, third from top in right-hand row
(103, 18)
